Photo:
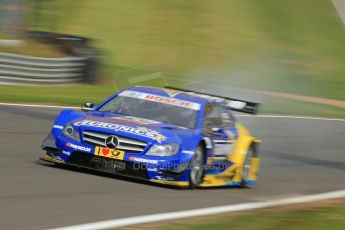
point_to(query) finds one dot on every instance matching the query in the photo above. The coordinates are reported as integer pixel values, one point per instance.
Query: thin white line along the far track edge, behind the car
(239, 115)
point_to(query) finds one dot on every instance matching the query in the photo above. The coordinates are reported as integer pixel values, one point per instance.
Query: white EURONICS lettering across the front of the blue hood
(140, 131)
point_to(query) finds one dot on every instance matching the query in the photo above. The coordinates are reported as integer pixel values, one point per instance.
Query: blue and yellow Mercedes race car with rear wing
(164, 135)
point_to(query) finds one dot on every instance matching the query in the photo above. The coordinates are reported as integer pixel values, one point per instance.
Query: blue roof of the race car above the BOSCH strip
(170, 93)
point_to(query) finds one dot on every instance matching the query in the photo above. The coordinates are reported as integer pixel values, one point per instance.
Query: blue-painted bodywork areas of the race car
(188, 139)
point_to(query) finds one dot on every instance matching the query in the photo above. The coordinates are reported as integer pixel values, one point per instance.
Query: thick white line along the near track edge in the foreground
(116, 223)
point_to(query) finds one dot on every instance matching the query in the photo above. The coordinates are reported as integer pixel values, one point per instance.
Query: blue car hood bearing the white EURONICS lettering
(132, 127)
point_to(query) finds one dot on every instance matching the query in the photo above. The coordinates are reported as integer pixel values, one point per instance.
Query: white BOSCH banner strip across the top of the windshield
(161, 99)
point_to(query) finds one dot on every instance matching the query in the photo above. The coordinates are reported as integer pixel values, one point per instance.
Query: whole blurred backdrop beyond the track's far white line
(289, 55)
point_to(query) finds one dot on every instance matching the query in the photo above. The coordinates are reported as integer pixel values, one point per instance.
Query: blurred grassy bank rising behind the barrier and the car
(287, 46)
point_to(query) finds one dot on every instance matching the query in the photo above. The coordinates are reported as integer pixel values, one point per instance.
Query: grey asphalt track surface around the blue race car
(299, 157)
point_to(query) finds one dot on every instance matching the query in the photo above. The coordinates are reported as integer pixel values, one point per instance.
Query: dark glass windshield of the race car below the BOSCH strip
(153, 110)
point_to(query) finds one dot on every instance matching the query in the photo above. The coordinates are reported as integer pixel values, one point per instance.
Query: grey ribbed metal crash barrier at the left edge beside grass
(18, 69)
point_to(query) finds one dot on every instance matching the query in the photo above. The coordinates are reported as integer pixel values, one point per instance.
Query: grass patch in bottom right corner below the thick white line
(304, 217)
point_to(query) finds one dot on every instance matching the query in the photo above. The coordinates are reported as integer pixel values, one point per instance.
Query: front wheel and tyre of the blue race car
(196, 171)
